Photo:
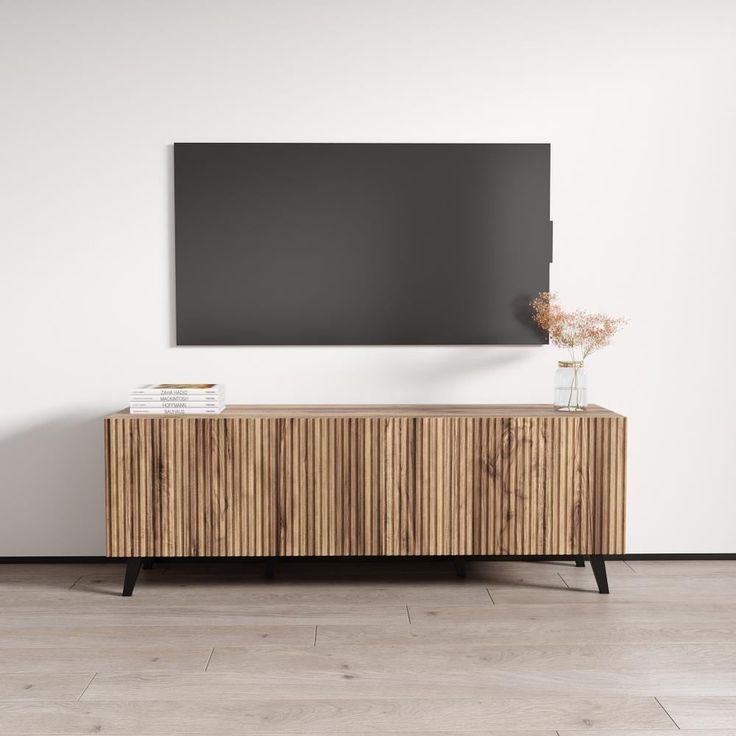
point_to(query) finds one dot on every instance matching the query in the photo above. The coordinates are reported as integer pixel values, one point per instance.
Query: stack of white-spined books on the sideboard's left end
(178, 398)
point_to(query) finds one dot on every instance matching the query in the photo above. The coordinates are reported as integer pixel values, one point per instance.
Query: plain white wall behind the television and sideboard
(637, 97)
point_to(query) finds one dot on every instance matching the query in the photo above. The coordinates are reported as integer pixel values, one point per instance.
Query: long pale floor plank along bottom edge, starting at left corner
(328, 716)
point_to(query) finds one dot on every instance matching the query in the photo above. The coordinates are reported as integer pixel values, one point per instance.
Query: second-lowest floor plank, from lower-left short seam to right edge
(390, 682)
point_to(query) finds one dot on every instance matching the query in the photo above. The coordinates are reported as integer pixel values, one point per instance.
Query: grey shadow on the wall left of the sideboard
(52, 489)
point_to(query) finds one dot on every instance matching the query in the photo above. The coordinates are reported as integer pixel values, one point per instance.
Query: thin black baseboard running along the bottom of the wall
(487, 558)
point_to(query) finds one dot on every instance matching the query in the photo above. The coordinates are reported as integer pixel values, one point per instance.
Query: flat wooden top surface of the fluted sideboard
(384, 410)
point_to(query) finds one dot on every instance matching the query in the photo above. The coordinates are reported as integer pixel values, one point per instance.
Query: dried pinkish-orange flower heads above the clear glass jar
(579, 332)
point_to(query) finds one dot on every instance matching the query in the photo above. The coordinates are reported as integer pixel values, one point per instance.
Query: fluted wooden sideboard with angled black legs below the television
(284, 481)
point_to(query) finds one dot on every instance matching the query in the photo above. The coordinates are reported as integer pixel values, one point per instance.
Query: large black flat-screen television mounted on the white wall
(360, 243)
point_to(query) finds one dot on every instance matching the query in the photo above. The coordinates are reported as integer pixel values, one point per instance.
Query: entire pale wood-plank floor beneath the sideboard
(369, 648)
